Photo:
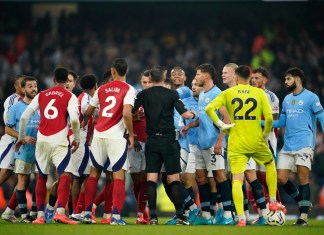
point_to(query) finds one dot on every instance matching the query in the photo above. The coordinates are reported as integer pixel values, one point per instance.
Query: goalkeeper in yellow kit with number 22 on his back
(245, 105)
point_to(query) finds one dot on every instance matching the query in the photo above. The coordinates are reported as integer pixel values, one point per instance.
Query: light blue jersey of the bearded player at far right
(300, 111)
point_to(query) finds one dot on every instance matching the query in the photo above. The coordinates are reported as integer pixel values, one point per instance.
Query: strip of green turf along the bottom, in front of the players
(316, 227)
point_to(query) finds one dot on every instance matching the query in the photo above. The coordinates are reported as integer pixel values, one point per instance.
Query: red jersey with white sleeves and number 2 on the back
(111, 97)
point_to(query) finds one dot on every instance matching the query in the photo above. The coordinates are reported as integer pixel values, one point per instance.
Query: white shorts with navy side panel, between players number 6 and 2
(79, 161)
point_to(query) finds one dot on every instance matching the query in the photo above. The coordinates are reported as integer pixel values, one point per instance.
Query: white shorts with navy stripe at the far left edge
(7, 152)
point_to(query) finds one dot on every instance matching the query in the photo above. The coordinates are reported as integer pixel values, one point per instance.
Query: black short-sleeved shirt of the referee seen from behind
(159, 103)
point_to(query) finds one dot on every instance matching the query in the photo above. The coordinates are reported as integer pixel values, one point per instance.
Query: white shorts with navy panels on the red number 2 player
(109, 154)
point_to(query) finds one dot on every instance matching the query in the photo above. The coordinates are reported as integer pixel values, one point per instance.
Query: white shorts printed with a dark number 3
(209, 160)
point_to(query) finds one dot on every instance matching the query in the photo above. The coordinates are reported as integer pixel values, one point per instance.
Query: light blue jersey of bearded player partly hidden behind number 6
(27, 152)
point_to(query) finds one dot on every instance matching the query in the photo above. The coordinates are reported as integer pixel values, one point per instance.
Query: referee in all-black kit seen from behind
(162, 145)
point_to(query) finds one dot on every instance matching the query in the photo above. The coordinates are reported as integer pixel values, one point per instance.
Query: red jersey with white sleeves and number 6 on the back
(54, 105)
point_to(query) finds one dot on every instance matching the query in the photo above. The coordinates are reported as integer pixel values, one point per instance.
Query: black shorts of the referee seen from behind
(161, 149)
